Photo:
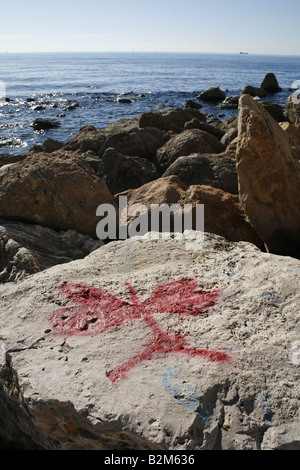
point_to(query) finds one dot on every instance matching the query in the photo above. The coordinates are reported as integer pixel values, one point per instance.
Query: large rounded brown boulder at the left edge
(61, 192)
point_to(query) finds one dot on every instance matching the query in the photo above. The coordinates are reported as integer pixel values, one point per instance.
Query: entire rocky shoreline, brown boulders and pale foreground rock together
(246, 172)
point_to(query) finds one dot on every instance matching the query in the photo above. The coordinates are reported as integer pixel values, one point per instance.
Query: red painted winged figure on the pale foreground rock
(96, 311)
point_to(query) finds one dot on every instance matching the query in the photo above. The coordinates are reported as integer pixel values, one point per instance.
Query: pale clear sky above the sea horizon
(220, 26)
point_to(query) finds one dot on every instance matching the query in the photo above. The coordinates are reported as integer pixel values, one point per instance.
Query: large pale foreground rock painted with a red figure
(167, 366)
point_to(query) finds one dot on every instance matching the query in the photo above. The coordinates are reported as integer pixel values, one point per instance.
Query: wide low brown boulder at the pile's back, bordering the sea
(170, 120)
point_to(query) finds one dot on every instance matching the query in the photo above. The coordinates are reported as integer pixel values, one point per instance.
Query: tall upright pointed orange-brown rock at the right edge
(269, 179)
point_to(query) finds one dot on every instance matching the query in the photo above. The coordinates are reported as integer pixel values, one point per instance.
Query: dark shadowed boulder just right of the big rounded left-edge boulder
(121, 172)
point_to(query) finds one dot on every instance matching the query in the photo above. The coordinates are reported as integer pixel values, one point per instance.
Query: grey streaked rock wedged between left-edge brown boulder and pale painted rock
(26, 249)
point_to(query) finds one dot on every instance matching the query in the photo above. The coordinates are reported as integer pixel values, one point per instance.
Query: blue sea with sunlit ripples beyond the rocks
(78, 89)
